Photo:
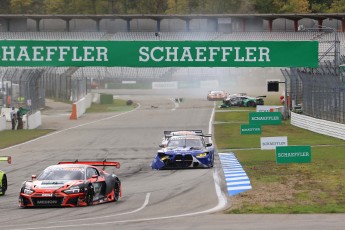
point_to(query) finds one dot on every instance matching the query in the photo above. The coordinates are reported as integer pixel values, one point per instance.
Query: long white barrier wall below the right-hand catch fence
(328, 128)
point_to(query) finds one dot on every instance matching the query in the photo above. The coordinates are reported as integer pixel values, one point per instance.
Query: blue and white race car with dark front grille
(181, 152)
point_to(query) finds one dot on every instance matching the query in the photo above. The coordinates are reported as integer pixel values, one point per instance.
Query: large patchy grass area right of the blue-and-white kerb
(316, 187)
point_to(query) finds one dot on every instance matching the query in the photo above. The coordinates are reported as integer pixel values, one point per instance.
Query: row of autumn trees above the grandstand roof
(170, 6)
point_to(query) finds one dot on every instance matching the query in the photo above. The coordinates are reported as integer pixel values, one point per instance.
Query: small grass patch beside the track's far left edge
(118, 105)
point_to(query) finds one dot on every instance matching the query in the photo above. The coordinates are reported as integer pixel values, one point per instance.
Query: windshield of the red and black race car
(62, 174)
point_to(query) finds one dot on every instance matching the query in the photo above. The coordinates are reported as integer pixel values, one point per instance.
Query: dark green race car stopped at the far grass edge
(243, 100)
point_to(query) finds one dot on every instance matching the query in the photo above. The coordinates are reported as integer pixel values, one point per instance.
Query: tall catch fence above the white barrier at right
(319, 91)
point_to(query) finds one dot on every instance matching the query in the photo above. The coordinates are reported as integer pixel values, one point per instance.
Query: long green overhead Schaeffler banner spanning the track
(159, 53)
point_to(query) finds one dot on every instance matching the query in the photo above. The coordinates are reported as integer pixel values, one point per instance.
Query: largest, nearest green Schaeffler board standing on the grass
(293, 154)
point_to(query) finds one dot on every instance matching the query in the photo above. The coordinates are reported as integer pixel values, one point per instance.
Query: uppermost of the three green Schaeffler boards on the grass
(265, 118)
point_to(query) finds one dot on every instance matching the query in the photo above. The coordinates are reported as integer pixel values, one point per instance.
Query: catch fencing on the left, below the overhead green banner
(28, 87)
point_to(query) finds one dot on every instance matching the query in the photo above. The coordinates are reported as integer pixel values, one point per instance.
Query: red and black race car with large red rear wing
(78, 183)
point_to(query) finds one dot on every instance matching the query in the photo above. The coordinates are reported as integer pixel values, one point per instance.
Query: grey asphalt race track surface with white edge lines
(167, 199)
